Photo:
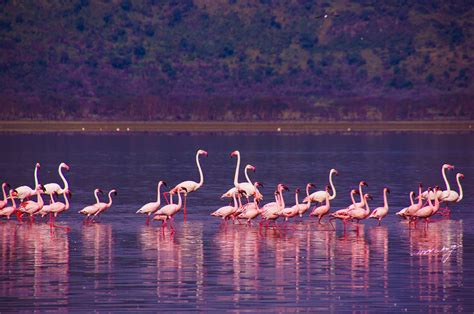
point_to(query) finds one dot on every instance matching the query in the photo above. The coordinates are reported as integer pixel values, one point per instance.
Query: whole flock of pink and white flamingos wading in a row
(425, 205)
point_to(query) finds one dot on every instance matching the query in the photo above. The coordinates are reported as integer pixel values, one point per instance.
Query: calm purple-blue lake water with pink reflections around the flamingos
(120, 263)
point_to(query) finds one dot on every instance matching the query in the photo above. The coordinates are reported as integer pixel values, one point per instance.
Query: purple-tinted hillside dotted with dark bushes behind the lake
(227, 60)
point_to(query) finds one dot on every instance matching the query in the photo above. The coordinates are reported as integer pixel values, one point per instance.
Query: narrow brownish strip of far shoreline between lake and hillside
(237, 127)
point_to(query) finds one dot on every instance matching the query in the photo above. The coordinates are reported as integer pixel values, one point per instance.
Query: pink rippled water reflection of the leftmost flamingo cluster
(45, 274)
